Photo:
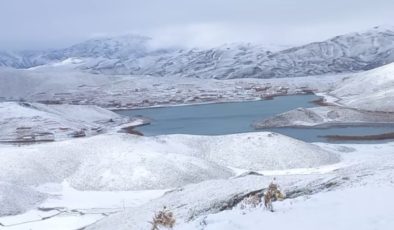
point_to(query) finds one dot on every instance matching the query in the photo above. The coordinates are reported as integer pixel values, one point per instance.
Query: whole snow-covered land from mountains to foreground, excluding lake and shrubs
(71, 161)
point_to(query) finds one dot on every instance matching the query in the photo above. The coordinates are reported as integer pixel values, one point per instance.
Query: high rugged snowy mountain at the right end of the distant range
(346, 53)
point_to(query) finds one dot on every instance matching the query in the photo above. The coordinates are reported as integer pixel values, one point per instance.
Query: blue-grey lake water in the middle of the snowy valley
(237, 117)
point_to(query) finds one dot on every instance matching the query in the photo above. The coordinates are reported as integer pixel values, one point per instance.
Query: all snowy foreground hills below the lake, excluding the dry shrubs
(59, 191)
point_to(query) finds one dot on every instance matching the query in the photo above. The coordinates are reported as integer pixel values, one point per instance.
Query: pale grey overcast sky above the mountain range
(38, 24)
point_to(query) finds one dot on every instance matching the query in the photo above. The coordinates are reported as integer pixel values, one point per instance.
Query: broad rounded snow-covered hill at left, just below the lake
(104, 162)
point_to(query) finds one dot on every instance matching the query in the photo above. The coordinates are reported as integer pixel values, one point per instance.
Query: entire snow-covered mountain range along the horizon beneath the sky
(132, 54)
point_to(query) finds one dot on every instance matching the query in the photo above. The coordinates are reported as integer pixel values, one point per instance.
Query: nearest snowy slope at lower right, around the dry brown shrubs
(342, 194)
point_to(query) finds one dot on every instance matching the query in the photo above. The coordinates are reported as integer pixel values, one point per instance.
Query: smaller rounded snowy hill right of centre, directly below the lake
(260, 151)
